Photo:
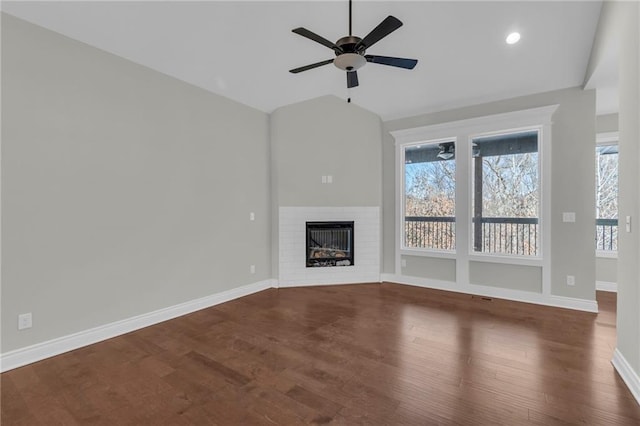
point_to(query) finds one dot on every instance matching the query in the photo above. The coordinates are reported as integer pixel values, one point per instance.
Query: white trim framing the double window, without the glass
(463, 131)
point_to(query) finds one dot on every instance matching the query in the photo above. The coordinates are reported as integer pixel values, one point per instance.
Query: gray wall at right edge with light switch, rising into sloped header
(618, 29)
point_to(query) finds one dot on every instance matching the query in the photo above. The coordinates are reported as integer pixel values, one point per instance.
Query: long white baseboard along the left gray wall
(40, 351)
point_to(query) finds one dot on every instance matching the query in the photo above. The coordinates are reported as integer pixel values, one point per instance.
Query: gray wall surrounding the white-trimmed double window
(573, 174)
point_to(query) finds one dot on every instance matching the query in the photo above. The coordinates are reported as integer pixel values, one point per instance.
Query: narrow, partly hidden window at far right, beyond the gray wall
(607, 195)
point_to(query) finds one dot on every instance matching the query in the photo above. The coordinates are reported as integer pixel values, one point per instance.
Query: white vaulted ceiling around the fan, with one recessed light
(243, 50)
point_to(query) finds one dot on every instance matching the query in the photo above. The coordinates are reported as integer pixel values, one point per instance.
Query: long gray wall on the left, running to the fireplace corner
(123, 190)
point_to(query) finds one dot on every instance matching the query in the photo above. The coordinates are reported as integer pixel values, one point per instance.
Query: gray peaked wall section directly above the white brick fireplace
(326, 136)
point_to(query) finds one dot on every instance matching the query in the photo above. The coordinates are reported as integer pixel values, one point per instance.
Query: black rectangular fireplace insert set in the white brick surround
(329, 244)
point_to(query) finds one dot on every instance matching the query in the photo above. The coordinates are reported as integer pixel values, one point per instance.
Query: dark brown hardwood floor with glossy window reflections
(353, 354)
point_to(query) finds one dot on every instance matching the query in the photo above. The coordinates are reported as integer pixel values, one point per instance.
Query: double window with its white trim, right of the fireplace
(476, 190)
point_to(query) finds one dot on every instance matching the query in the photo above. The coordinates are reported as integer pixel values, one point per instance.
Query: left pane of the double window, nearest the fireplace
(429, 196)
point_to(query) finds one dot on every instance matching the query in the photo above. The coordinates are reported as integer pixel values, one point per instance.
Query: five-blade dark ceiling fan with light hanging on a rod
(351, 50)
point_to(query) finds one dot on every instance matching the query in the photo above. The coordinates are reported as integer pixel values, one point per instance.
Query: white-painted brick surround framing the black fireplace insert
(293, 271)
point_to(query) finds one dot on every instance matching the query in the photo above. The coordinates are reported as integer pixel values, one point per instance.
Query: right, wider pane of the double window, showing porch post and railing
(506, 194)
